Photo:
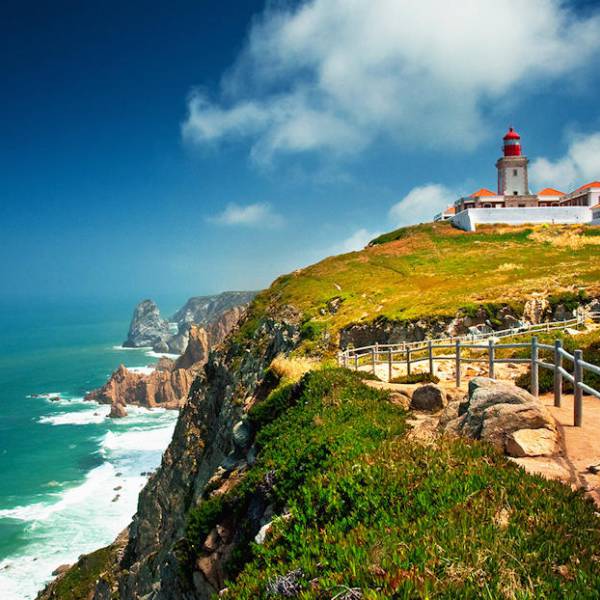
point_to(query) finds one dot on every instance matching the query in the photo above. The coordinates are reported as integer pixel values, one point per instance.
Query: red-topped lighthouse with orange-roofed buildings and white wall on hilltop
(515, 204)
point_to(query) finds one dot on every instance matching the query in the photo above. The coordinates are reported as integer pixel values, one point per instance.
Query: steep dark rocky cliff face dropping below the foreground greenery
(203, 441)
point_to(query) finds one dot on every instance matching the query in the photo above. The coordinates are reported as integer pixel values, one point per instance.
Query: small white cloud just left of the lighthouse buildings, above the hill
(421, 204)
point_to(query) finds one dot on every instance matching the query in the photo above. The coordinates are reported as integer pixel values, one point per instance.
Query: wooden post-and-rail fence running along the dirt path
(416, 352)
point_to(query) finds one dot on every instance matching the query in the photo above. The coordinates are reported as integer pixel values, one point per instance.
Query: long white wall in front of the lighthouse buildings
(469, 219)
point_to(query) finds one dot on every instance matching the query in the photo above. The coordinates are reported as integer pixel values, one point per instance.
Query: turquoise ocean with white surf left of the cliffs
(69, 476)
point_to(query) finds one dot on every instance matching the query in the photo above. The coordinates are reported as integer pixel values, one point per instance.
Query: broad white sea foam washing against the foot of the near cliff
(82, 518)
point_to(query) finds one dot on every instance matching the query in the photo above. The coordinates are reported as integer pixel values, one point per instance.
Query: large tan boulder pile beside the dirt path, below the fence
(506, 416)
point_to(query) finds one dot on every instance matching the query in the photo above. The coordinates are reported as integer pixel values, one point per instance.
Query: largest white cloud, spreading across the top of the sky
(334, 75)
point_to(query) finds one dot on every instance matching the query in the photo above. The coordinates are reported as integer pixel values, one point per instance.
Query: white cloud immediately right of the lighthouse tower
(579, 165)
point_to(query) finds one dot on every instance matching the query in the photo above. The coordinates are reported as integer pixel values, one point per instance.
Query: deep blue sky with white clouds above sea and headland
(172, 149)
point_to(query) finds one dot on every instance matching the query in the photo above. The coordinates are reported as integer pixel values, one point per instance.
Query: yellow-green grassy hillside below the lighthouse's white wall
(434, 269)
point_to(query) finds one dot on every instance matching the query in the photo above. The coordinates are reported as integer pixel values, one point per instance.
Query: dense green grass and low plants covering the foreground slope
(371, 509)
